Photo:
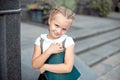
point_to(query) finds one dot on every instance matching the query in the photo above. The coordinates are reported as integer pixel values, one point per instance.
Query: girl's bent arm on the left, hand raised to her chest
(39, 58)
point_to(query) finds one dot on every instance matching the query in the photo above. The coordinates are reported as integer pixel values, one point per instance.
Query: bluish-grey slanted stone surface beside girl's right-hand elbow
(86, 72)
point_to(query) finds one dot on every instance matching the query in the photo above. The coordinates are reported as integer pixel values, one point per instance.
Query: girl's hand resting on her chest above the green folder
(56, 48)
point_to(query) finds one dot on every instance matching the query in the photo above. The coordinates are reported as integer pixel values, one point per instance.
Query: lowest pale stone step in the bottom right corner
(114, 74)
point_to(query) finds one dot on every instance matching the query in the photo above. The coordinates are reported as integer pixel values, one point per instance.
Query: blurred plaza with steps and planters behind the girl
(95, 30)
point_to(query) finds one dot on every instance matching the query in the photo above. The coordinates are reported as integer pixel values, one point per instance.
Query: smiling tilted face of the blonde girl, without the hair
(58, 26)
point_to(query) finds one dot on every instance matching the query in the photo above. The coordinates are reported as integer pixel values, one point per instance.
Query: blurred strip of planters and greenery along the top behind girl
(101, 8)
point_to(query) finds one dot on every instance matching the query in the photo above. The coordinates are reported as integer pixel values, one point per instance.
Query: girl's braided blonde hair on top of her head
(69, 14)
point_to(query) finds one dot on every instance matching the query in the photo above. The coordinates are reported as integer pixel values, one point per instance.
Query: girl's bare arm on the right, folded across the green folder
(65, 67)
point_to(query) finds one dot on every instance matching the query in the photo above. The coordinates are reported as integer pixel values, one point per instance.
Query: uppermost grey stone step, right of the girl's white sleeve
(92, 42)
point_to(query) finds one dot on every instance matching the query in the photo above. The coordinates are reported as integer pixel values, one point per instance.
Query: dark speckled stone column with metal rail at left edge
(10, 53)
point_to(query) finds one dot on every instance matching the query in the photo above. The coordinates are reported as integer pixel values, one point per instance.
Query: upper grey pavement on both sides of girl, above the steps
(30, 31)
